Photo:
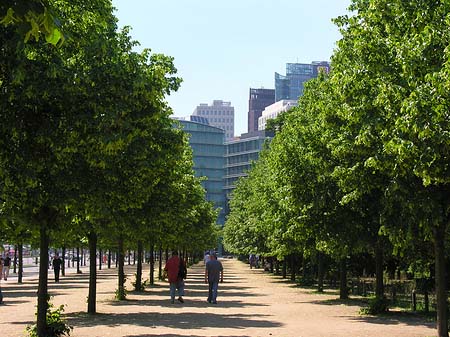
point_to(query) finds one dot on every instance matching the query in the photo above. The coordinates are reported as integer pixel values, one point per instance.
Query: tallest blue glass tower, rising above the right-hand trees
(290, 86)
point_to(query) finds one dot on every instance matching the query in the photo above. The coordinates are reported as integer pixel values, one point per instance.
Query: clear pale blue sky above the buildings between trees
(223, 48)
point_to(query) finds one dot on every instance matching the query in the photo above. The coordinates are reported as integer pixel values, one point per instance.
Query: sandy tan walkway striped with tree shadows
(251, 304)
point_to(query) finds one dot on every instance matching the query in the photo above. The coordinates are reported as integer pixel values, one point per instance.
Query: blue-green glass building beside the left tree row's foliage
(207, 143)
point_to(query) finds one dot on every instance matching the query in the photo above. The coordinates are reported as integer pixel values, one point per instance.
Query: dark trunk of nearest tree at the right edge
(441, 291)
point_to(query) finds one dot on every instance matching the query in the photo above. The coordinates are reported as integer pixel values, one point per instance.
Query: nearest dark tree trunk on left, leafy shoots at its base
(41, 323)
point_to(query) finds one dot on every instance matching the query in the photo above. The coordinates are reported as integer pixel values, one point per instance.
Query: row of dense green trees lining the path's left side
(88, 151)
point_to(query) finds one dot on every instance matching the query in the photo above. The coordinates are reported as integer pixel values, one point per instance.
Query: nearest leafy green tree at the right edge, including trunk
(400, 50)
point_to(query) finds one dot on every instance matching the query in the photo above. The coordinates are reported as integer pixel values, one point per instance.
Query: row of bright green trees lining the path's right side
(362, 164)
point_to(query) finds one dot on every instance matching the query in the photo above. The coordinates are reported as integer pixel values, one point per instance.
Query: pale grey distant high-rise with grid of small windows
(219, 114)
